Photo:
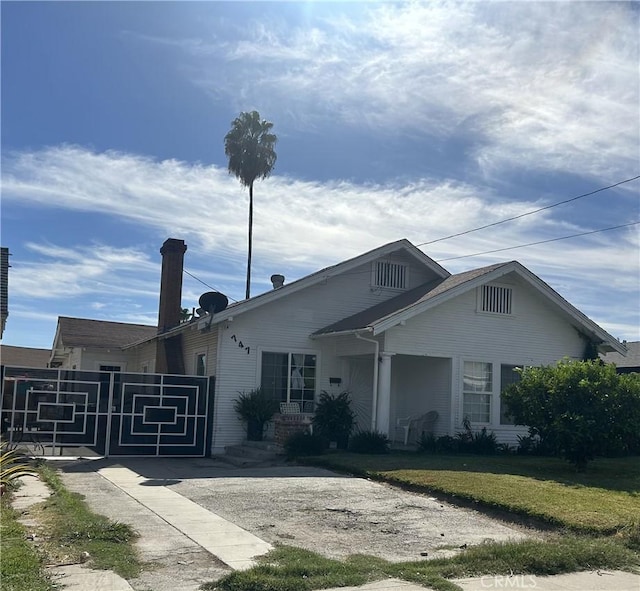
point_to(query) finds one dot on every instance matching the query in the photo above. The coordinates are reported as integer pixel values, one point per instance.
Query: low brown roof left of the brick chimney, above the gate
(82, 332)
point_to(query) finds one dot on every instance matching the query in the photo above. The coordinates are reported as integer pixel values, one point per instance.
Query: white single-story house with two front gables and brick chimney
(391, 326)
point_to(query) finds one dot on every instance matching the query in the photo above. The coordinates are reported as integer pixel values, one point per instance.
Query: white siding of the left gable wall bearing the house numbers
(285, 325)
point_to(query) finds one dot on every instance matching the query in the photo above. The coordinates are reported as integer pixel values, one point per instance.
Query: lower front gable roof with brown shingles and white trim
(399, 309)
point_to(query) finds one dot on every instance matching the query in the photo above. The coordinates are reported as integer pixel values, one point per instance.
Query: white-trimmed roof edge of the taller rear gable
(319, 276)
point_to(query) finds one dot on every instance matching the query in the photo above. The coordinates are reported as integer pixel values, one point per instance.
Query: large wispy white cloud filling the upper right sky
(534, 86)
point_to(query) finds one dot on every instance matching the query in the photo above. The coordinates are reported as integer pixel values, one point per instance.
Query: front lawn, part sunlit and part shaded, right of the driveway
(604, 499)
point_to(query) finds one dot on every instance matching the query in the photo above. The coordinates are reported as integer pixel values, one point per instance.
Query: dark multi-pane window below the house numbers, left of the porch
(289, 377)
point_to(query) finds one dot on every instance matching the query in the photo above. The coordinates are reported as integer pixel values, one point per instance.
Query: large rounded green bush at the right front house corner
(578, 409)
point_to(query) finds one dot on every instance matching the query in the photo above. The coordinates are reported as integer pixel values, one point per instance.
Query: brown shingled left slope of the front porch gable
(368, 318)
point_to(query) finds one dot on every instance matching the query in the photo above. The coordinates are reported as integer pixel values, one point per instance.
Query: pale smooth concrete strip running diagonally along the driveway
(230, 543)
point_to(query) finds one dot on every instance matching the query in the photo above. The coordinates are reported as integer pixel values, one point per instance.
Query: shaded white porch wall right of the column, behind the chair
(420, 385)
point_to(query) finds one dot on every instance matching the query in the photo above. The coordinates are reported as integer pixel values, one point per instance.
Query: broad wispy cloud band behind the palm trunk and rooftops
(299, 228)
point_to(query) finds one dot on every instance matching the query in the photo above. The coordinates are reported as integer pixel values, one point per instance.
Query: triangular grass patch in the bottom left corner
(20, 564)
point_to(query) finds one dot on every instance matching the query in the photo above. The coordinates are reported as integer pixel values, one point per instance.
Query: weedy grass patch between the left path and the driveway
(73, 531)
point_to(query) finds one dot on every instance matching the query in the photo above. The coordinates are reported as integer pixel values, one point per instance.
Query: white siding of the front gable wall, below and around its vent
(536, 334)
